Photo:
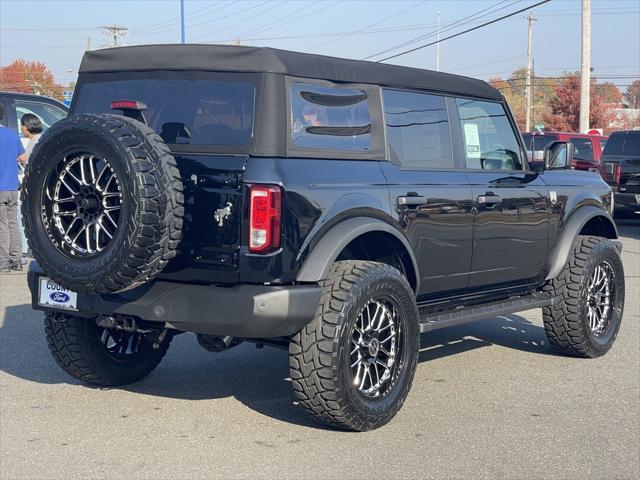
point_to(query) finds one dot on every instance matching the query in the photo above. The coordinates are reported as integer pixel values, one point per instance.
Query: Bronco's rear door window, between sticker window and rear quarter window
(417, 130)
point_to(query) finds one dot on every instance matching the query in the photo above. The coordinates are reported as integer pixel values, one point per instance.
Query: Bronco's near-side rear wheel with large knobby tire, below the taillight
(352, 366)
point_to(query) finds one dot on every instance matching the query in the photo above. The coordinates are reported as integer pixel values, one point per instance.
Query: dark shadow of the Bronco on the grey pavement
(258, 378)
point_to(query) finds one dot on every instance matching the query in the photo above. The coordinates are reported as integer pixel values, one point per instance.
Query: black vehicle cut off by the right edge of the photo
(621, 169)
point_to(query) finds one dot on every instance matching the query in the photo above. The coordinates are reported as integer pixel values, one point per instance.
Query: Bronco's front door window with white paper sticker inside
(489, 140)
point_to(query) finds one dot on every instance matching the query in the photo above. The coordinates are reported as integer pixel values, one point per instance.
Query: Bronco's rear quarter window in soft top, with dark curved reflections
(330, 118)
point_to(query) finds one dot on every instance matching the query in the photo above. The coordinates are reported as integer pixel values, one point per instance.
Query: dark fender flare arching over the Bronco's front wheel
(571, 230)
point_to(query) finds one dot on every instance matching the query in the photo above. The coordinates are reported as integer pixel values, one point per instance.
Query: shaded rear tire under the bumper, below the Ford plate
(77, 346)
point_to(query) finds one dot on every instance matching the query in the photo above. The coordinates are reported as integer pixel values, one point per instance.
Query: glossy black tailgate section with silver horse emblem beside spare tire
(213, 203)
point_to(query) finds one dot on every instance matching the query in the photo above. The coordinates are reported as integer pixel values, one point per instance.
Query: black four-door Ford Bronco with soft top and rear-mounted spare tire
(335, 208)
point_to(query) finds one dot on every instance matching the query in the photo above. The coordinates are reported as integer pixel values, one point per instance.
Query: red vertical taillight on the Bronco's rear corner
(264, 218)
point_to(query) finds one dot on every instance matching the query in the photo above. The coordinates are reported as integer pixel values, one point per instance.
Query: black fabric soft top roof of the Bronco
(230, 58)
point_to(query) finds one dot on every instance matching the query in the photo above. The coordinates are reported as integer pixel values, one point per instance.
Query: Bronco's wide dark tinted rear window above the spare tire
(191, 112)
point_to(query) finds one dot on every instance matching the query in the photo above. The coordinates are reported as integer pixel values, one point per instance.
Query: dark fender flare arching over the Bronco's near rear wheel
(317, 264)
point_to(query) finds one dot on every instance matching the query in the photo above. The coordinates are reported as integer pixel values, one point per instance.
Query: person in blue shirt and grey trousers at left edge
(11, 152)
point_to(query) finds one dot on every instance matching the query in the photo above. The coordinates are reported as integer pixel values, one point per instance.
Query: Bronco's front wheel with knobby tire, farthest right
(586, 317)
